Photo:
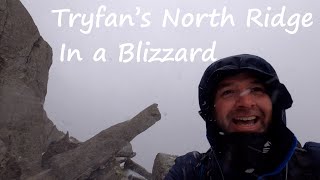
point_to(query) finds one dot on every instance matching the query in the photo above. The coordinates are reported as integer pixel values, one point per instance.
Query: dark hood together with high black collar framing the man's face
(268, 152)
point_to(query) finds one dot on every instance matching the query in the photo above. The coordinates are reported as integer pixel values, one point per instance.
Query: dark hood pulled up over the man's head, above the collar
(218, 70)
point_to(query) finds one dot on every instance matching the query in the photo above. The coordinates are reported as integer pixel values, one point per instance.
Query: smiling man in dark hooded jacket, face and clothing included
(243, 104)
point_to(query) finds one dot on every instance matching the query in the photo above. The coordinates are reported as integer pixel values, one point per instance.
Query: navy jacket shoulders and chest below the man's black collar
(304, 164)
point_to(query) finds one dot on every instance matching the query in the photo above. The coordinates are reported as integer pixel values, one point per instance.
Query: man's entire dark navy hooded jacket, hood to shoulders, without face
(275, 154)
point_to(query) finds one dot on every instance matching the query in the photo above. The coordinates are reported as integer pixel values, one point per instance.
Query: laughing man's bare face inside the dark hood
(241, 104)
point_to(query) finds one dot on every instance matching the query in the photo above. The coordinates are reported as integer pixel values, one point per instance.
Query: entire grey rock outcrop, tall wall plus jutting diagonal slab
(31, 147)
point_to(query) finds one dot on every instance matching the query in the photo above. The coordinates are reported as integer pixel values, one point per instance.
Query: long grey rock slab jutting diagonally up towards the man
(100, 151)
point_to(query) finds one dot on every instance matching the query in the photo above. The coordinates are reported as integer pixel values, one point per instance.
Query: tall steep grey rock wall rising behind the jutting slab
(25, 59)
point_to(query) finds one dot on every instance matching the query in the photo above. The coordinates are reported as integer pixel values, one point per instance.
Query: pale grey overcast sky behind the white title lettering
(85, 97)
